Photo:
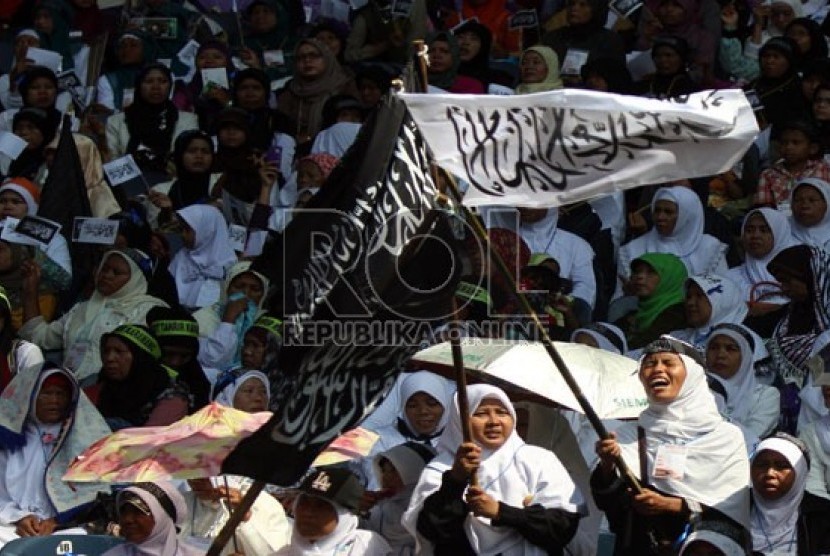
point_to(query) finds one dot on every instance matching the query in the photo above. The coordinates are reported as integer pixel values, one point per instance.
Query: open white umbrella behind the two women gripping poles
(608, 381)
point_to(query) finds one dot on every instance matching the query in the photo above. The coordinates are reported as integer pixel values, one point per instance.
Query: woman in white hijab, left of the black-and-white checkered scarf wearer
(765, 233)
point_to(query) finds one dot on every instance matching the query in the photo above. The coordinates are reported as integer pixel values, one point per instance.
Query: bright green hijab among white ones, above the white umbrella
(670, 291)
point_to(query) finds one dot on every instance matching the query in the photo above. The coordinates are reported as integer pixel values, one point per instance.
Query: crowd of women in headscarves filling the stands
(719, 287)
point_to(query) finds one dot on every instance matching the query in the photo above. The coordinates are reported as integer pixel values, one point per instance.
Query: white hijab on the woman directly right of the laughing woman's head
(739, 389)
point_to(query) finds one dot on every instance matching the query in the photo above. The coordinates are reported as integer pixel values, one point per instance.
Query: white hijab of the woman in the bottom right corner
(775, 522)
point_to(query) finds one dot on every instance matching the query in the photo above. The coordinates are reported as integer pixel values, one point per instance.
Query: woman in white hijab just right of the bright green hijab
(710, 300)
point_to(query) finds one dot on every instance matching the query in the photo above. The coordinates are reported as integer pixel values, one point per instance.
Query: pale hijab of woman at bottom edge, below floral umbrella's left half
(163, 539)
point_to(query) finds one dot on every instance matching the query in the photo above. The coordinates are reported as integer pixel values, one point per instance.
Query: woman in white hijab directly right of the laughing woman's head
(731, 353)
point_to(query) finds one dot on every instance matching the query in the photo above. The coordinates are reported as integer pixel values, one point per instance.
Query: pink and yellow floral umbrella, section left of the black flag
(191, 448)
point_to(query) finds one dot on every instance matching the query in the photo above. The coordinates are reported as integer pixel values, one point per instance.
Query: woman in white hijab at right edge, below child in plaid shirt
(810, 220)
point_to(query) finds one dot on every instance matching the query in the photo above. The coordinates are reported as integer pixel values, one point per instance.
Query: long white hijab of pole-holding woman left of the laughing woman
(516, 474)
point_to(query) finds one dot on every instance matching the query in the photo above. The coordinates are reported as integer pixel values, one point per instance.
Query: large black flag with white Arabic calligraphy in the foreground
(370, 259)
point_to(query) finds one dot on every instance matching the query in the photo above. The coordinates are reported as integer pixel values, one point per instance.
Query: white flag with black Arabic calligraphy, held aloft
(553, 148)
